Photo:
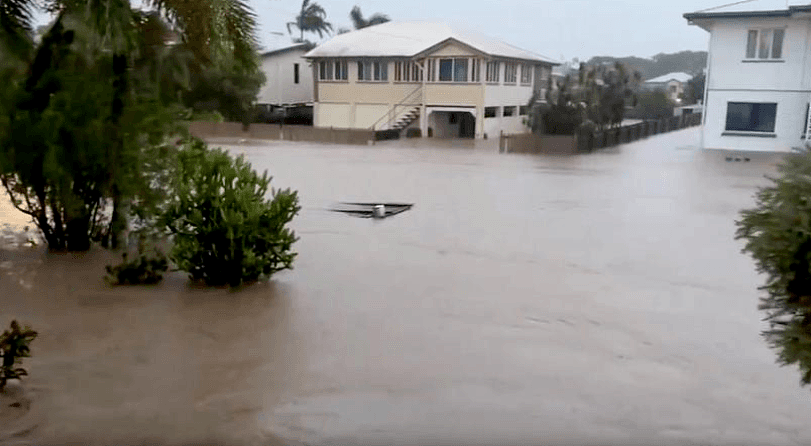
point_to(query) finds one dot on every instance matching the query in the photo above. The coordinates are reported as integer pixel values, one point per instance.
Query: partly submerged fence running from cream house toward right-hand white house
(586, 141)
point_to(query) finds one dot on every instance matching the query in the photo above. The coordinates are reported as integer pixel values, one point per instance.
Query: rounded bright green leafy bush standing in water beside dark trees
(225, 231)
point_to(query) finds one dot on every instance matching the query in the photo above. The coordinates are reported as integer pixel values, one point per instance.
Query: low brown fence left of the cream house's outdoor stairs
(281, 132)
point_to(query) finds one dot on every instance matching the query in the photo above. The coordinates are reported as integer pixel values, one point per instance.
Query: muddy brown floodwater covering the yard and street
(525, 299)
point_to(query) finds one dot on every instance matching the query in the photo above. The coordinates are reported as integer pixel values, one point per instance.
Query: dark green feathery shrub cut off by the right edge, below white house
(777, 232)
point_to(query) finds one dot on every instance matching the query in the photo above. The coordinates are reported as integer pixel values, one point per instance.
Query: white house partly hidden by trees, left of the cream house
(288, 88)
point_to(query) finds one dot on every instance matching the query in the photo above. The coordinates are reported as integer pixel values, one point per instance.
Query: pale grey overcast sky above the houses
(554, 28)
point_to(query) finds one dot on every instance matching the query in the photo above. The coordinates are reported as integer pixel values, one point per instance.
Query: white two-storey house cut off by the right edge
(758, 76)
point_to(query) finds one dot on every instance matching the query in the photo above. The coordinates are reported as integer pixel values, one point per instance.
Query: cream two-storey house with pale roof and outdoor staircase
(429, 76)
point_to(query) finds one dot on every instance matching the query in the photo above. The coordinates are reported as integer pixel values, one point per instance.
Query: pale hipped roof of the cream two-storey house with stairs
(409, 39)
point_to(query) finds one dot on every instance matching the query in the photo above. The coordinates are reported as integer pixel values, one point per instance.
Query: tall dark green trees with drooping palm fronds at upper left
(87, 111)
